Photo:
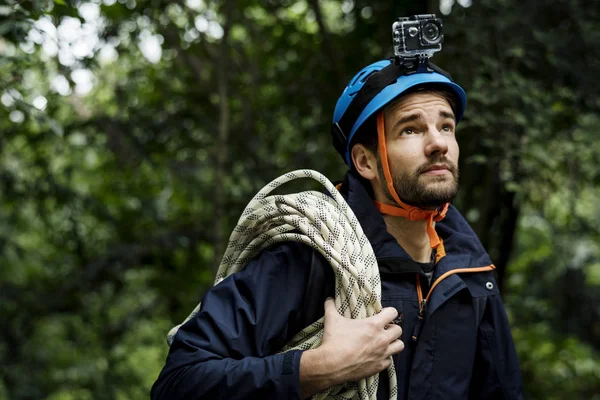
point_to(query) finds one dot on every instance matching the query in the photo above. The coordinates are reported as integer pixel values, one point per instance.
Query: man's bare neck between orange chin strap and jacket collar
(411, 235)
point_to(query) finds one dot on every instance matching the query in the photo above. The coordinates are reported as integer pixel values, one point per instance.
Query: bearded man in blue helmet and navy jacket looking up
(443, 320)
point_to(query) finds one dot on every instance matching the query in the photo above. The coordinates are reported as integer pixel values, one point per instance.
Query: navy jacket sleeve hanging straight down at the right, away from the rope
(496, 373)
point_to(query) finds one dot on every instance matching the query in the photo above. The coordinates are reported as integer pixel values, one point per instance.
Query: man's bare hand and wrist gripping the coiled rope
(351, 349)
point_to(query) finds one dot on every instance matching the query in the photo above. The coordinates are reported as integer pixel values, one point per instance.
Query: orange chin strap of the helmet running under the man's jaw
(406, 211)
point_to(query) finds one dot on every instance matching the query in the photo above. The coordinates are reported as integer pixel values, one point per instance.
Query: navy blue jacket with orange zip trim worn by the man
(464, 348)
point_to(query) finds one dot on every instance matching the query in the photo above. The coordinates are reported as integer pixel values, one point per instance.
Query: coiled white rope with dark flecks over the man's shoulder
(327, 224)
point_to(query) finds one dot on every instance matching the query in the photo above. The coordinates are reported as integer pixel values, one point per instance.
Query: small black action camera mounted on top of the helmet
(419, 36)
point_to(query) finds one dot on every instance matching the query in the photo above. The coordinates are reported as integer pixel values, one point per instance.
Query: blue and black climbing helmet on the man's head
(377, 85)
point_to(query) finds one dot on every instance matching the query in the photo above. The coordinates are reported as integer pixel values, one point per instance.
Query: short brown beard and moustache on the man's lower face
(427, 192)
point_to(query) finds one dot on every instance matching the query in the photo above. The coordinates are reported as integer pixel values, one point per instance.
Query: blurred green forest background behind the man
(133, 133)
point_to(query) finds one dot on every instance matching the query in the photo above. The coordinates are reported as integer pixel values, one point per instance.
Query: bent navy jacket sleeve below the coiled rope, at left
(228, 351)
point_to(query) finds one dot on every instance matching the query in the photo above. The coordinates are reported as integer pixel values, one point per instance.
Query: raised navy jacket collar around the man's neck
(463, 248)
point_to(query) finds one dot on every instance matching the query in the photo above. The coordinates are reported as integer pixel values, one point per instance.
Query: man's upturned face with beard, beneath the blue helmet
(422, 150)
